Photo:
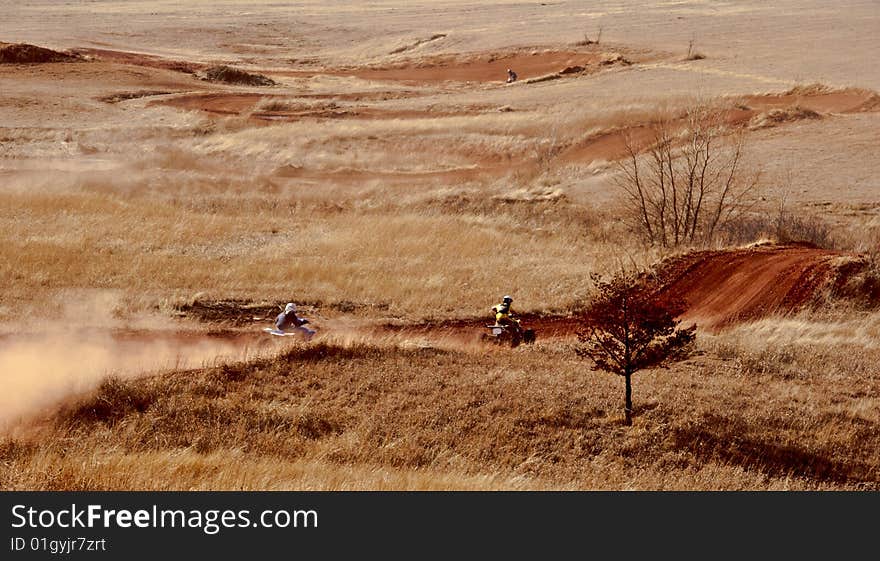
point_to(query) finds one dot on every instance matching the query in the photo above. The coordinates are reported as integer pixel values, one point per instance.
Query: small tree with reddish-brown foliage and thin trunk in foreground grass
(630, 327)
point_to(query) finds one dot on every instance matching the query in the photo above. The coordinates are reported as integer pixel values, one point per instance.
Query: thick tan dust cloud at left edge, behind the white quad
(42, 364)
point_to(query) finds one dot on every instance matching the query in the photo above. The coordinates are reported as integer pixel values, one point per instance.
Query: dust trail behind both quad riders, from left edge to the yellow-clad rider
(42, 368)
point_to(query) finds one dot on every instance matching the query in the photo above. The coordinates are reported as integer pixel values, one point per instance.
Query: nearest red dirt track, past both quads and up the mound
(720, 288)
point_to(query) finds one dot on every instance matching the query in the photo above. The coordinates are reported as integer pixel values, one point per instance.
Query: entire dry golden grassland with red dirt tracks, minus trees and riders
(172, 173)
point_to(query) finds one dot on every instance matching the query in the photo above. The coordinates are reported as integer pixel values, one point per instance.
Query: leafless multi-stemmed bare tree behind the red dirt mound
(684, 178)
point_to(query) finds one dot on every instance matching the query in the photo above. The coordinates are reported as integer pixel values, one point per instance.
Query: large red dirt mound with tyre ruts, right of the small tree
(721, 288)
